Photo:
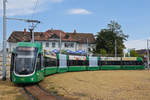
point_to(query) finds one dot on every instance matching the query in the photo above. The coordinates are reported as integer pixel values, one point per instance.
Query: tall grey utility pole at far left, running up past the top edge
(4, 41)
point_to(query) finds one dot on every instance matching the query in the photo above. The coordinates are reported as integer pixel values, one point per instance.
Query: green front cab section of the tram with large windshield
(26, 63)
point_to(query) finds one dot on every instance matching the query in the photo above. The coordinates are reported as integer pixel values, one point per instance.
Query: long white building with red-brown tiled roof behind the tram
(50, 40)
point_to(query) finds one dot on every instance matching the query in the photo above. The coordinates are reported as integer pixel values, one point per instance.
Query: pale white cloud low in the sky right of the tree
(137, 44)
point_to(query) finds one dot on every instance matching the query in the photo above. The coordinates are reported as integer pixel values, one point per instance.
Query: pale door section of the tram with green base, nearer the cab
(62, 63)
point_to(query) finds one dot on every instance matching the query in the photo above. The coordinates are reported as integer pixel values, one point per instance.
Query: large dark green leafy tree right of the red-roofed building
(105, 39)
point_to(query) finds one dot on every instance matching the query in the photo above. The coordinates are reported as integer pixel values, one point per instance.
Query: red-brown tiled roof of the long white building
(21, 36)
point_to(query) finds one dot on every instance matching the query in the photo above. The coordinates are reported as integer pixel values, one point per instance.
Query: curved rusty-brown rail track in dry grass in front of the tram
(39, 93)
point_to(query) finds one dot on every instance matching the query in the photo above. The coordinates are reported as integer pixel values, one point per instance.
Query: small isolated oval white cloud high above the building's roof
(79, 11)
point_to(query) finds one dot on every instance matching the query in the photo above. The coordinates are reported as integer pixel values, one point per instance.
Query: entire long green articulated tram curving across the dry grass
(29, 64)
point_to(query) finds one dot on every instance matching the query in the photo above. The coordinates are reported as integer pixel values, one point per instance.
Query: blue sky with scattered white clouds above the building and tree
(88, 16)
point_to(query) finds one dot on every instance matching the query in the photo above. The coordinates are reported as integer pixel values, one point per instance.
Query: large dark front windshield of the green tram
(25, 60)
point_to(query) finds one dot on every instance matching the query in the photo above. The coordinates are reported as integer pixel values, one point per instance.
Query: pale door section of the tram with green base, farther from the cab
(93, 63)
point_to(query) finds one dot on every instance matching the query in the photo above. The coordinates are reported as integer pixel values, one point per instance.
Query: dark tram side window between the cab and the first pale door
(50, 62)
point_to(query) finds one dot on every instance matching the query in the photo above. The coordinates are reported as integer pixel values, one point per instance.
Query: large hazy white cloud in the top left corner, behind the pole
(22, 7)
